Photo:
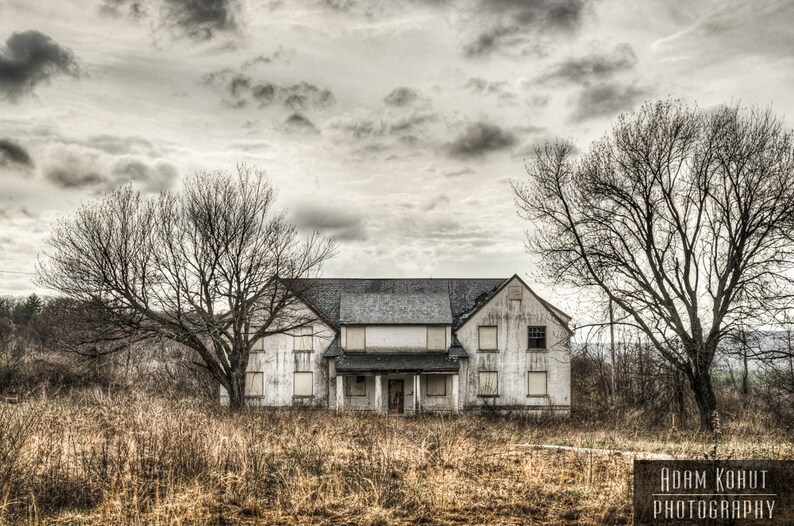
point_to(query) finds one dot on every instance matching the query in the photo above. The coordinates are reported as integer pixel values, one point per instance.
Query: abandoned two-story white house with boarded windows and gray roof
(410, 345)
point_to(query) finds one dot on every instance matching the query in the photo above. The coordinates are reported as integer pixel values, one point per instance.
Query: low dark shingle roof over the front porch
(397, 363)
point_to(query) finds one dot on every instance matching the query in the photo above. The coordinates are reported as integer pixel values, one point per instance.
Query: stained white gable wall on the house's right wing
(512, 360)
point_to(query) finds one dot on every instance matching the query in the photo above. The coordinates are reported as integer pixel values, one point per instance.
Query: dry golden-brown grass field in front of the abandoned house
(130, 459)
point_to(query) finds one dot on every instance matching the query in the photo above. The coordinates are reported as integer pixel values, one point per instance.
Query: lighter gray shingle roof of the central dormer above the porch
(394, 308)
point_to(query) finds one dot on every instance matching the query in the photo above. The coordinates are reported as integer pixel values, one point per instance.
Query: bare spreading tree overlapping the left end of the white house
(215, 267)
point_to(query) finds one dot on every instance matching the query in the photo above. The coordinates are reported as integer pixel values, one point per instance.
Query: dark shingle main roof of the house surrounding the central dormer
(325, 294)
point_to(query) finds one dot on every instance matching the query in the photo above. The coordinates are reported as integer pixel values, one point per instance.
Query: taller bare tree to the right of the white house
(681, 217)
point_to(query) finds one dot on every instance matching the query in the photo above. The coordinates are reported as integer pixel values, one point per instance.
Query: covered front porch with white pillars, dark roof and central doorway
(397, 384)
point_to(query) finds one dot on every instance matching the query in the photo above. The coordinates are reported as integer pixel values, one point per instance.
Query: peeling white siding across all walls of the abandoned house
(277, 361)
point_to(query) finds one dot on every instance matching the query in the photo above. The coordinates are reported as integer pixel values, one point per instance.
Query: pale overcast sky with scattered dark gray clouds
(396, 126)
